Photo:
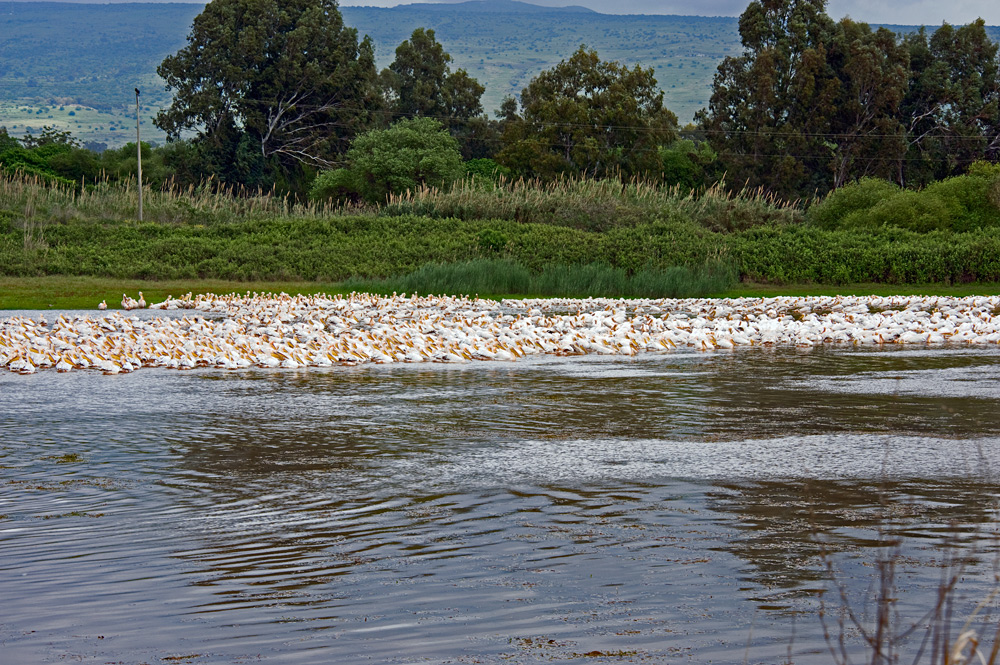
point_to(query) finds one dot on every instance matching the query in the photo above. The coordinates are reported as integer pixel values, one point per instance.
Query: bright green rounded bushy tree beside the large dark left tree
(412, 153)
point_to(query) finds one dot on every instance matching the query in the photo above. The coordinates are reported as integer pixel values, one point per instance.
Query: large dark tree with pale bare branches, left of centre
(286, 80)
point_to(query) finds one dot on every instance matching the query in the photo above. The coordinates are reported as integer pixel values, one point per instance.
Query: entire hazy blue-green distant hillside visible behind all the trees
(75, 65)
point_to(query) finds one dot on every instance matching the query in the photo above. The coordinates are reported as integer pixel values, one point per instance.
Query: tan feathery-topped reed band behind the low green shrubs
(591, 205)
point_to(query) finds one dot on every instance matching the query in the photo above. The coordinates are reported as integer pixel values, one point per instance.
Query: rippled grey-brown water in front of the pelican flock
(671, 508)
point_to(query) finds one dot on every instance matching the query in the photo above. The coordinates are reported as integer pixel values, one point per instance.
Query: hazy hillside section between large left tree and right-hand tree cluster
(506, 54)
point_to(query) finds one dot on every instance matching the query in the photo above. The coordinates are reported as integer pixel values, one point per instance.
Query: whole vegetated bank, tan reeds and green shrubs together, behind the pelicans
(573, 238)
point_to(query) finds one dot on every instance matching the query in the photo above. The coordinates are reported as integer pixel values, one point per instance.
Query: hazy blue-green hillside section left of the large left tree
(73, 66)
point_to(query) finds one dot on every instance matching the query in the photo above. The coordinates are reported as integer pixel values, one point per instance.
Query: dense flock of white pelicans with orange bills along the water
(282, 331)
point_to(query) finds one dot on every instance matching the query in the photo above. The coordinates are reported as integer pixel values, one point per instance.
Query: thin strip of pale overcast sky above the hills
(904, 12)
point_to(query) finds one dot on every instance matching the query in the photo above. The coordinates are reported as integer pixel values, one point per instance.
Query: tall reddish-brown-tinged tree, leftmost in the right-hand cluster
(771, 108)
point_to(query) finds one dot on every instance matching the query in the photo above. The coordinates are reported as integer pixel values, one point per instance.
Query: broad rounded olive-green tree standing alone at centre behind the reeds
(587, 117)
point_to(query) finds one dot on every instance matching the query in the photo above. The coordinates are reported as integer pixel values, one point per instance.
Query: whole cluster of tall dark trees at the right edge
(812, 105)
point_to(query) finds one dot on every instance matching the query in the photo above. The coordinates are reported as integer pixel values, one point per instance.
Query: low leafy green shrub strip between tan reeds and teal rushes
(333, 249)
